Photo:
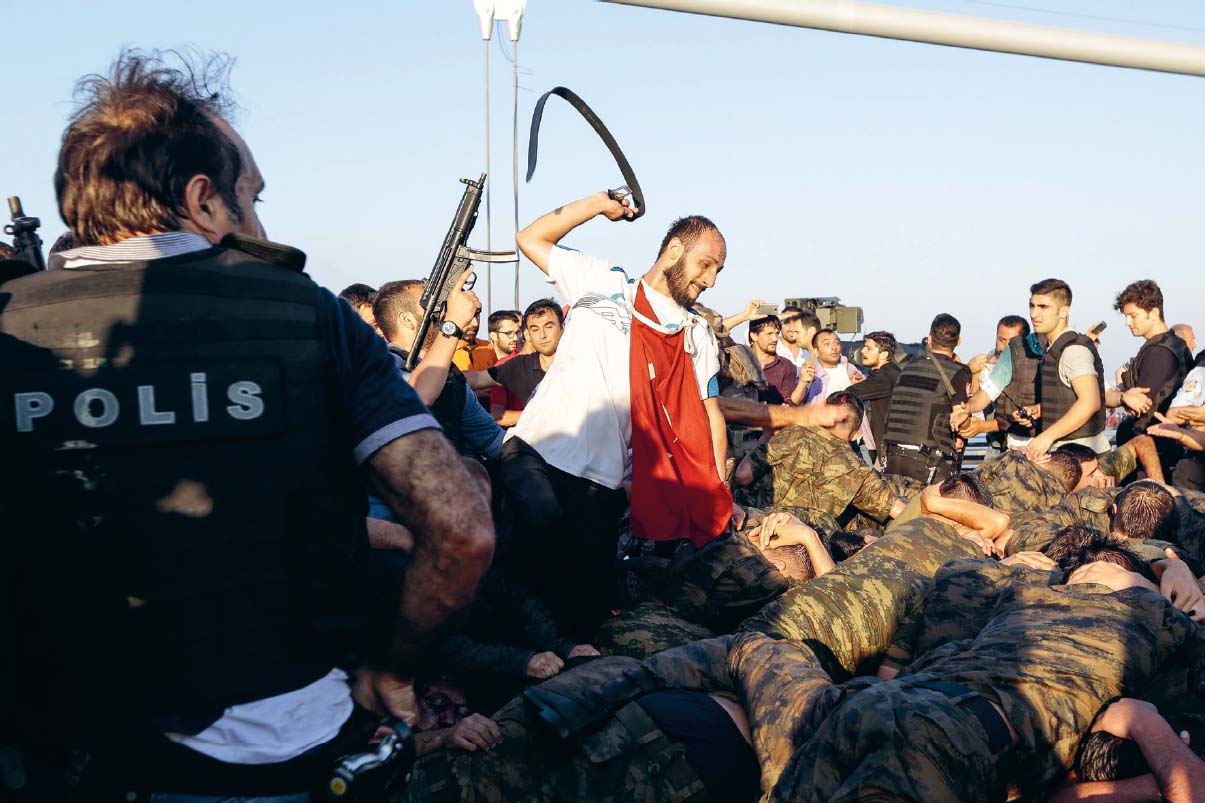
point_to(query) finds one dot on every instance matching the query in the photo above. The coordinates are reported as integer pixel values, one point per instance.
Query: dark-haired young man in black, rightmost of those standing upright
(1156, 372)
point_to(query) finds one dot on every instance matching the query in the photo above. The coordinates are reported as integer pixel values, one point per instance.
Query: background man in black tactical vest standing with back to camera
(920, 442)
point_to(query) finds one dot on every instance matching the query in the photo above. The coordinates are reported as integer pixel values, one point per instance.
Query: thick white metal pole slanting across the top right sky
(954, 31)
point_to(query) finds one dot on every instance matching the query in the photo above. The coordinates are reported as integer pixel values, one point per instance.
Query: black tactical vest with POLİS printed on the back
(189, 517)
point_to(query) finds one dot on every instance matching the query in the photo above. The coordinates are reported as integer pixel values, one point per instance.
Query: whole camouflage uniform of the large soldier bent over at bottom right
(1049, 659)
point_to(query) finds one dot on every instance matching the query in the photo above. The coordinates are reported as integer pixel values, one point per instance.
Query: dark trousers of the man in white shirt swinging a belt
(567, 537)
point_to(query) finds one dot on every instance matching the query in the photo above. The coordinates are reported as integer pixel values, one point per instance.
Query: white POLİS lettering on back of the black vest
(98, 408)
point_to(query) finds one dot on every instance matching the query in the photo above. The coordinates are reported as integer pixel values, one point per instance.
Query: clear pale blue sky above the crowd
(904, 178)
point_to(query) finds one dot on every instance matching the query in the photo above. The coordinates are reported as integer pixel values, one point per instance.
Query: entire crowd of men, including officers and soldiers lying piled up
(614, 552)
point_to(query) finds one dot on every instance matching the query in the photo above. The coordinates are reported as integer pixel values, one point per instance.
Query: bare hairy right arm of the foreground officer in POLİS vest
(454, 543)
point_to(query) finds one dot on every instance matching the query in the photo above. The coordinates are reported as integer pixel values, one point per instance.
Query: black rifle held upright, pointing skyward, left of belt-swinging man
(451, 265)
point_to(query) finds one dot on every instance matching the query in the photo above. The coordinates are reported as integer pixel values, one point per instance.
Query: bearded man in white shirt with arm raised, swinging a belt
(566, 461)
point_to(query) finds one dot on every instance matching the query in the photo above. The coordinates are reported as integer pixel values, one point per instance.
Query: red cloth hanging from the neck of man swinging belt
(675, 489)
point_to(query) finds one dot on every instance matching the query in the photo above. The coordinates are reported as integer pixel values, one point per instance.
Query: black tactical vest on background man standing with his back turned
(921, 407)
